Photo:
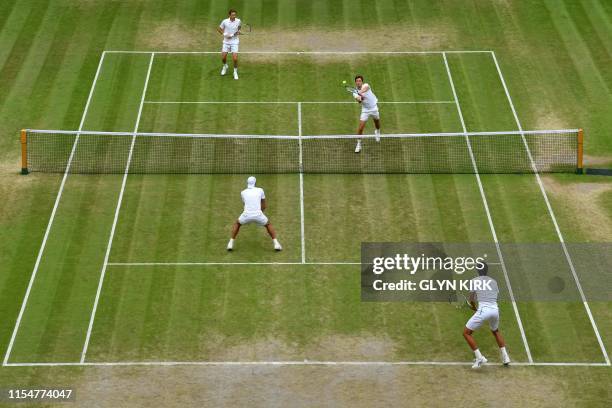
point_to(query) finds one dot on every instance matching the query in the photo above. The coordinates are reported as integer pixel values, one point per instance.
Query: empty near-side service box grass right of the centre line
(388, 208)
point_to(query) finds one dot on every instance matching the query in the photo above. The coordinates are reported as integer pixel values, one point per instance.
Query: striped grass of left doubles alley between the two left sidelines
(55, 320)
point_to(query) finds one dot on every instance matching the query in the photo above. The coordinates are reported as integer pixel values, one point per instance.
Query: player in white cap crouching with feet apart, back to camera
(254, 200)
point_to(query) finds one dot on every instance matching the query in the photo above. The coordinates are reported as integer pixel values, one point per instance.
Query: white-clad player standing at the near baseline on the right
(486, 312)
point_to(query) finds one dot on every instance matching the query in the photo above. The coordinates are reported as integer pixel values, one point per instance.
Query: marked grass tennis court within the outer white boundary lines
(144, 258)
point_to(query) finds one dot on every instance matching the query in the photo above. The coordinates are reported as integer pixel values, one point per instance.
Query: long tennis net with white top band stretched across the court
(483, 152)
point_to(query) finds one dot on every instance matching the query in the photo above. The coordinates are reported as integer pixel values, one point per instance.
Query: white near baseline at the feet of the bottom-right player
(299, 363)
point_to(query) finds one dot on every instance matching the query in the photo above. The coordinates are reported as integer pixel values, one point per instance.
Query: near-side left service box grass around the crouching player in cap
(187, 218)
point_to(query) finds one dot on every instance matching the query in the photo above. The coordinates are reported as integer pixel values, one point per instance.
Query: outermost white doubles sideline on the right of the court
(552, 215)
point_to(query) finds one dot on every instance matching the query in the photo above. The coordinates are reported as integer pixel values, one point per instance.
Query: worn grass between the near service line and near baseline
(256, 313)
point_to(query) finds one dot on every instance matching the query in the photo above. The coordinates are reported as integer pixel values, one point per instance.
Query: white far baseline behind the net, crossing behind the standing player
(304, 52)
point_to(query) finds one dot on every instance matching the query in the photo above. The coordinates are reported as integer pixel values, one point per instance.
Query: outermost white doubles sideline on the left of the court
(52, 217)
